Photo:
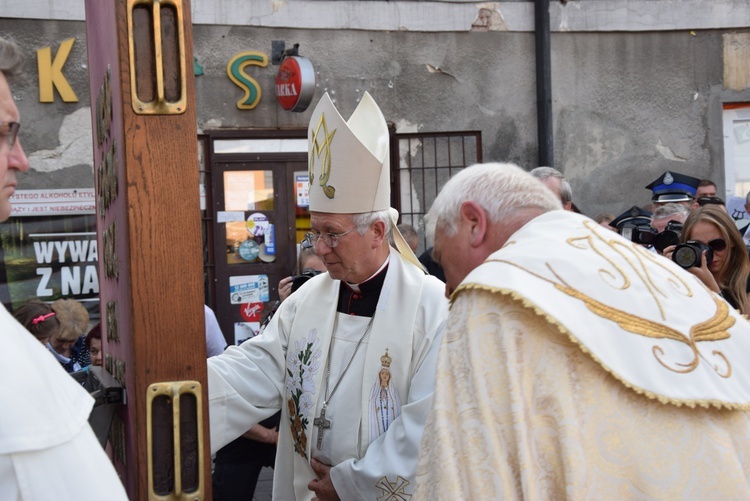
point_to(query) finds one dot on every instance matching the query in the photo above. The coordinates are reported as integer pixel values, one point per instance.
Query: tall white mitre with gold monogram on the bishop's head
(349, 163)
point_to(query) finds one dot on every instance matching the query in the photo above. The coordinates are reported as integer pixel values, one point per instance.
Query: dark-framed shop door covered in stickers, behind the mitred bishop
(255, 213)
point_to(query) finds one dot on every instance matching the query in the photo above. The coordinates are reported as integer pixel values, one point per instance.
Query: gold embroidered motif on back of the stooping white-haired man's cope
(715, 328)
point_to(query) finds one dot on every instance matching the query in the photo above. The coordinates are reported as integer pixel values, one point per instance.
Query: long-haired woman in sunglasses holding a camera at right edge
(723, 265)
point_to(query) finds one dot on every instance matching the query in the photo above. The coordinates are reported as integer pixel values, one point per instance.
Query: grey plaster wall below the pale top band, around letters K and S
(627, 105)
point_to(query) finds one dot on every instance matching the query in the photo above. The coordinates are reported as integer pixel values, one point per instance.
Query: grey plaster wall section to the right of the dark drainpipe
(628, 107)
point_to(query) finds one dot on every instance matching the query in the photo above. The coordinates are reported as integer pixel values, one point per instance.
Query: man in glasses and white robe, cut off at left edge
(47, 448)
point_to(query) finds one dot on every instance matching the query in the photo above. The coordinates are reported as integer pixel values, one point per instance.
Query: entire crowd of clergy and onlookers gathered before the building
(557, 357)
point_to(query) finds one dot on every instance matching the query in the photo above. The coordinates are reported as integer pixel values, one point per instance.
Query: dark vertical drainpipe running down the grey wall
(543, 83)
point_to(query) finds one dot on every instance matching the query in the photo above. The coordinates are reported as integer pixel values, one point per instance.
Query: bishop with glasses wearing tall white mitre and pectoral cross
(350, 357)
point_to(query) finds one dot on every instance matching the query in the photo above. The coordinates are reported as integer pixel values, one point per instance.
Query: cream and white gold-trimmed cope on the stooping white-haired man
(577, 365)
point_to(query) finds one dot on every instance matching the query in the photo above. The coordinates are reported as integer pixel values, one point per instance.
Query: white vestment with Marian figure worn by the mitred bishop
(286, 367)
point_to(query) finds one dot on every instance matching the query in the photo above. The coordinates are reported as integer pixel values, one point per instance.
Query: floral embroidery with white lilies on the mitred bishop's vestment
(300, 369)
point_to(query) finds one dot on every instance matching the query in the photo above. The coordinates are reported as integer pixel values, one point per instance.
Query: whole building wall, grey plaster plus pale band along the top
(638, 87)
